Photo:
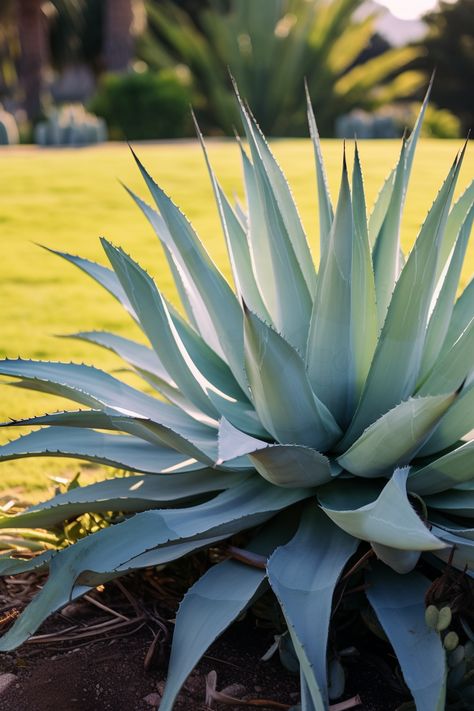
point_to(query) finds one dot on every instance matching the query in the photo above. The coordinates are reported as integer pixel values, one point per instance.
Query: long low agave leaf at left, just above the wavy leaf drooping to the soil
(127, 494)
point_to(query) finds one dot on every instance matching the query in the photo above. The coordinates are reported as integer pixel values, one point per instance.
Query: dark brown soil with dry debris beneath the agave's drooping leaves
(124, 669)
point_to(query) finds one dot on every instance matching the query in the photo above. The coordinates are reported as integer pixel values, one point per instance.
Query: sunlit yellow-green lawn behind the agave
(66, 199)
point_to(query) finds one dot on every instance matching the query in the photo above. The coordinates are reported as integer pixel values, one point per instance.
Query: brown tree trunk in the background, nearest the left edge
(31, 29)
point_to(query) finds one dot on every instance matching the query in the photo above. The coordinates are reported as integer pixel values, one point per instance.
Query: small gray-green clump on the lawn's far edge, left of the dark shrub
(70, 126)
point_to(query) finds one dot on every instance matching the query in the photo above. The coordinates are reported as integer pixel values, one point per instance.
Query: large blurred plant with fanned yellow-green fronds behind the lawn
(270, 48)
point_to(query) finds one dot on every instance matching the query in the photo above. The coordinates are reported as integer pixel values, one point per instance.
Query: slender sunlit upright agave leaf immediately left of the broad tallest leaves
(236, 241)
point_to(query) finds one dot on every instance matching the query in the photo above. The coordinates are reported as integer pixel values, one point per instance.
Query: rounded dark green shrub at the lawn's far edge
(141, 106)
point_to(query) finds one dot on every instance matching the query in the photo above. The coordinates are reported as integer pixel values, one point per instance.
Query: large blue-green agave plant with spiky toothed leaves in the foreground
(319, 410)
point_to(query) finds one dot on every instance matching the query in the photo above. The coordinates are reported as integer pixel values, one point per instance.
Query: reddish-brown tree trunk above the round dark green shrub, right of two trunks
(118, 38)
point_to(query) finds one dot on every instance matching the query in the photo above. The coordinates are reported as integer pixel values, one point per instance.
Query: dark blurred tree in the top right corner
(449, 48)
